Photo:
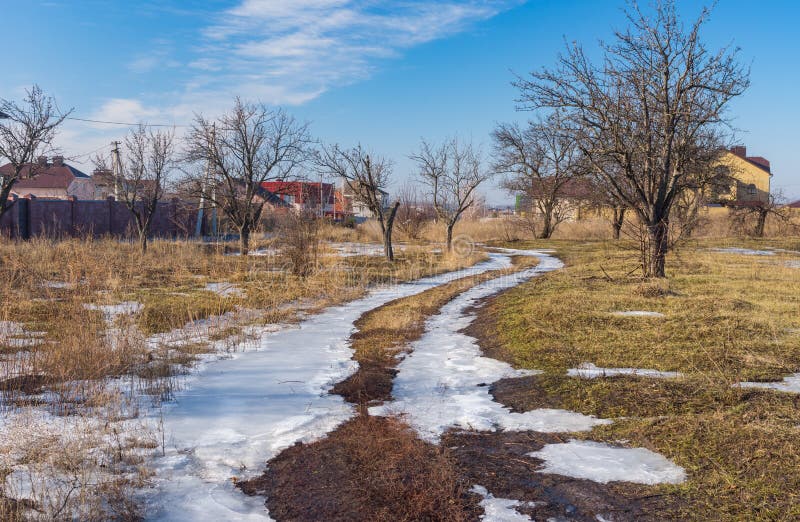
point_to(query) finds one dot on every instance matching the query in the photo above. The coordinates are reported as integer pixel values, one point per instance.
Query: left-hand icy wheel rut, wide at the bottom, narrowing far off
(240, 412)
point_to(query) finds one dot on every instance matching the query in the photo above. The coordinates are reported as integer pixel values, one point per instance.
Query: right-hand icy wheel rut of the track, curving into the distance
(443, 383)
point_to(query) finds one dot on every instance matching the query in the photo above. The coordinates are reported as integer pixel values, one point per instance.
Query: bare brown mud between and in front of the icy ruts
(374, 468)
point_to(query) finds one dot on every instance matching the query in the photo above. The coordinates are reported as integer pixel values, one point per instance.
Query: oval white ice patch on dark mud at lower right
(604, 463)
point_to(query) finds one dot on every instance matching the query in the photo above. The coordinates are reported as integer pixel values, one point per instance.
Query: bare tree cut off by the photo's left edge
(27, 130)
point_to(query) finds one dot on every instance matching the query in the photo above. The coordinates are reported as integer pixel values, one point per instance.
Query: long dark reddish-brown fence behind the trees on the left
(33, 217)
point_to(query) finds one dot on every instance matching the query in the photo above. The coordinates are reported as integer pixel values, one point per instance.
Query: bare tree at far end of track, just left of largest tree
(541, 161)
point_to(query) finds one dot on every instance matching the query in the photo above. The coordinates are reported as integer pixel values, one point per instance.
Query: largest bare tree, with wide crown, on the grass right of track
(650, 117)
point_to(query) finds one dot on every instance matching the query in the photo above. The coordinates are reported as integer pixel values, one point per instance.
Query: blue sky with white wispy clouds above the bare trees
(383, 74)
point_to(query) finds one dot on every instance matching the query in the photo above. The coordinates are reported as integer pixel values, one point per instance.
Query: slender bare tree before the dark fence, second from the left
(150, 159)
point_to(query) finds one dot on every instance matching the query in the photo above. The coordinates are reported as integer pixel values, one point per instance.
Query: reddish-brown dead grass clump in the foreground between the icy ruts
(369, 469)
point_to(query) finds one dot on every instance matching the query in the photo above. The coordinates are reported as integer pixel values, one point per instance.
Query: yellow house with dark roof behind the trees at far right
(745, 180)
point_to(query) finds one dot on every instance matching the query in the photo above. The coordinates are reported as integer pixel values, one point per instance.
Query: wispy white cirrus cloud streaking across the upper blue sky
(295, 50)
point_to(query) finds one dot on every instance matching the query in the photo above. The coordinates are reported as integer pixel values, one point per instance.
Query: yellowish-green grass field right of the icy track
(728, 318)
